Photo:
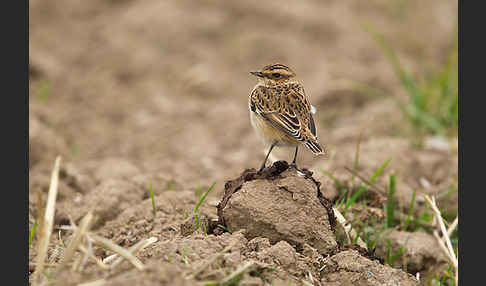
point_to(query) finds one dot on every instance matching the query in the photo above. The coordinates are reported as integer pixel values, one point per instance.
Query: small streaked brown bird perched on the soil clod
(281, 113)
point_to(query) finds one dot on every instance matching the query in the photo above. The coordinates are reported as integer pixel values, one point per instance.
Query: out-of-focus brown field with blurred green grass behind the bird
(156, 92)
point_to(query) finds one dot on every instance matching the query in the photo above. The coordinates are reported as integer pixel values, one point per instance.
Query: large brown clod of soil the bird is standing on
(279, 203)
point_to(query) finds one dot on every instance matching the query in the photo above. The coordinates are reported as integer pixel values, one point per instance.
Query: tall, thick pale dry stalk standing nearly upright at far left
(47, 222)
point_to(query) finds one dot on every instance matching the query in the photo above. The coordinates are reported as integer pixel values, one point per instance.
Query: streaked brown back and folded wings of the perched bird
(288, 111)
